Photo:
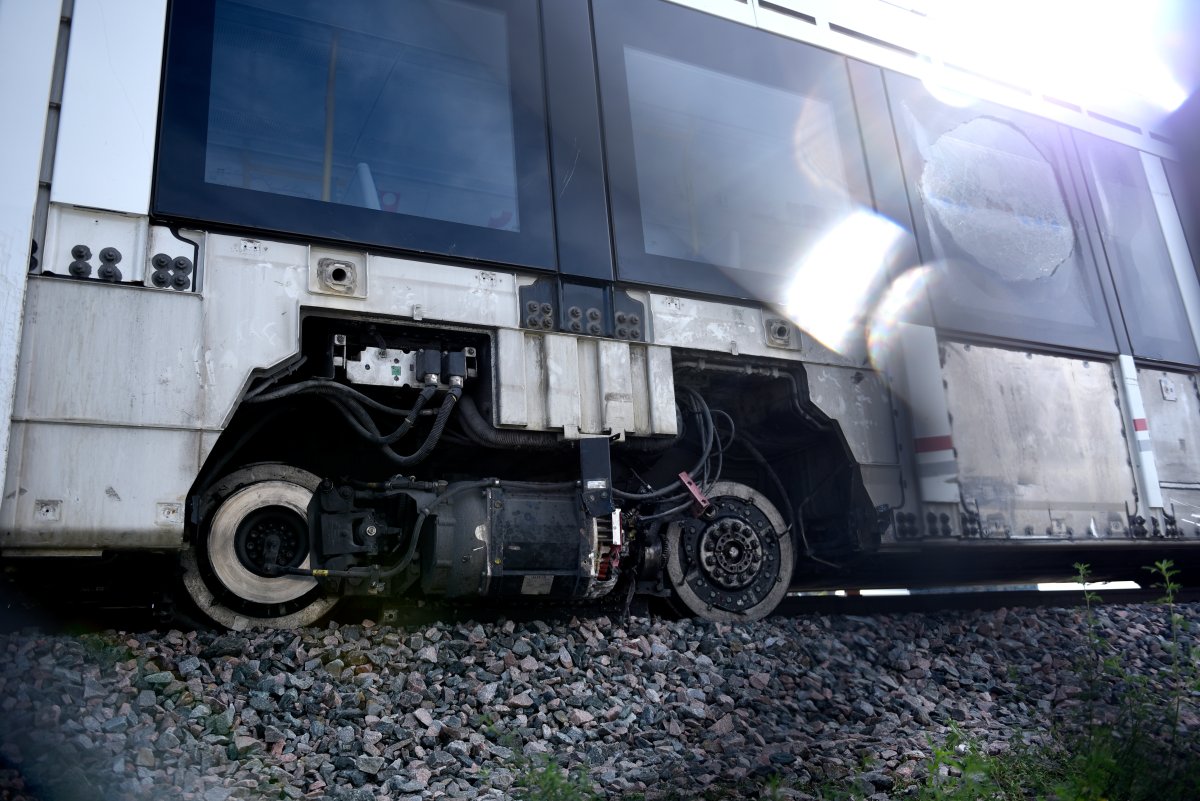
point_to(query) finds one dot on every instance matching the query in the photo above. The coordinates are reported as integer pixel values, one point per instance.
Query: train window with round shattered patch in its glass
(995, 219)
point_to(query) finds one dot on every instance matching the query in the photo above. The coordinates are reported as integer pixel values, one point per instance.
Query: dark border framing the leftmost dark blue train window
(182, 194)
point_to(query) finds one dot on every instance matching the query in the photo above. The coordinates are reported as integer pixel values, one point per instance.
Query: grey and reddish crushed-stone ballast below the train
(461, 710)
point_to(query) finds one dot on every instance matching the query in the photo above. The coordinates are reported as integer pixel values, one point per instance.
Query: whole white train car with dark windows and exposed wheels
(557, 300)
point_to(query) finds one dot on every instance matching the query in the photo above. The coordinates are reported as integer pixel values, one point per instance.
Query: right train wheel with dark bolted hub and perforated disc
(736, 567)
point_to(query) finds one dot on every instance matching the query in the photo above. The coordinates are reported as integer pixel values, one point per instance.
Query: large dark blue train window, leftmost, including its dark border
(415, 125)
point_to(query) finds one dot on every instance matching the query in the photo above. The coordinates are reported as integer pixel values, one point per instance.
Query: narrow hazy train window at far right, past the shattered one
(1142, 268)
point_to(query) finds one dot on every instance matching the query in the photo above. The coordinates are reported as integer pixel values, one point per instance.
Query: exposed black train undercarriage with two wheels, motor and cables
(410, 491)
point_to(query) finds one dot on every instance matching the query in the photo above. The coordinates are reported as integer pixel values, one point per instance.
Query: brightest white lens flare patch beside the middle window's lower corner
(842, 276)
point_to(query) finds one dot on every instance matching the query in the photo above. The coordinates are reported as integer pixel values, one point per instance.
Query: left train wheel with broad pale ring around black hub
(250, 520)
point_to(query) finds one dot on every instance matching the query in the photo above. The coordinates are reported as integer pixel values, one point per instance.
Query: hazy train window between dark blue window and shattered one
(730, 150)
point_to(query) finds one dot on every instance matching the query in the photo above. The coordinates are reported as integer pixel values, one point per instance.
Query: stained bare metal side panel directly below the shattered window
(1040, 442)
